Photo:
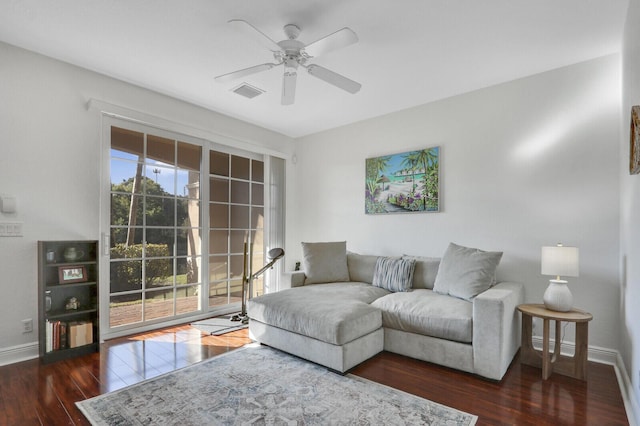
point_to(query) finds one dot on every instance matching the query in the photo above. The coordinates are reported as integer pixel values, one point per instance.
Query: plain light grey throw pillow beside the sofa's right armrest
(466, 272)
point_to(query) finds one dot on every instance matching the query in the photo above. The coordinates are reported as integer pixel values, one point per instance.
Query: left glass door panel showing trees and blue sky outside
(155, 227)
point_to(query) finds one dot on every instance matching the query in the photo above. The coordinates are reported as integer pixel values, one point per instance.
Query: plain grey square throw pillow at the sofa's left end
(325, 262)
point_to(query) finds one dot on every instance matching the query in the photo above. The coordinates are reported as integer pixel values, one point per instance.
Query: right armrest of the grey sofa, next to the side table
(496, 328)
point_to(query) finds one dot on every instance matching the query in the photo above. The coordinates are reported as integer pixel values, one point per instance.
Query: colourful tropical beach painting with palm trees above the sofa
(407, 182)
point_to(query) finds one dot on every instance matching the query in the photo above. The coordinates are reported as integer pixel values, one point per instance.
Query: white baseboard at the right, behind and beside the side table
(613, 358)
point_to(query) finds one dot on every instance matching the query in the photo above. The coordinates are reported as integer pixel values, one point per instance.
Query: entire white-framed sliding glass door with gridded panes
(186, 222)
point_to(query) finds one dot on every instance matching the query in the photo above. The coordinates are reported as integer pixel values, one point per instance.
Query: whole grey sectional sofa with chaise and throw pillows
(344, 308)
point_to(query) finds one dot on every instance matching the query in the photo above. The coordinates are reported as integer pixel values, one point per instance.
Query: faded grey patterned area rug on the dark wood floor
(258, 385)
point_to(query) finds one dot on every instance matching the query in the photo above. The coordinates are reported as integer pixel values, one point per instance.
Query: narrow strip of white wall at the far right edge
(630, 204)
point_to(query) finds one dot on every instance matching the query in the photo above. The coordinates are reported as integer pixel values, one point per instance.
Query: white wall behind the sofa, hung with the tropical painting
(524, 164)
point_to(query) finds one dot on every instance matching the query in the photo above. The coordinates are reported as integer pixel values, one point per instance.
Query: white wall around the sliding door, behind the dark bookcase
(50, 161)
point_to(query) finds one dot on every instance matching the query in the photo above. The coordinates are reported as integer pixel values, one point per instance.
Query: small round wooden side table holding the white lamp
(575, 366)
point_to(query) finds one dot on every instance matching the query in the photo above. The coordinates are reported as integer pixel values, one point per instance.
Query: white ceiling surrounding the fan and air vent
(410, 51)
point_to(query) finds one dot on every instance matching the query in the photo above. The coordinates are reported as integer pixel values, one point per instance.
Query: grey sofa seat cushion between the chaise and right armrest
(428, 313)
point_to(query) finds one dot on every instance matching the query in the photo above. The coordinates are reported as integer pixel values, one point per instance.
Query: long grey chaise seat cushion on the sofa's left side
(335, 313)
